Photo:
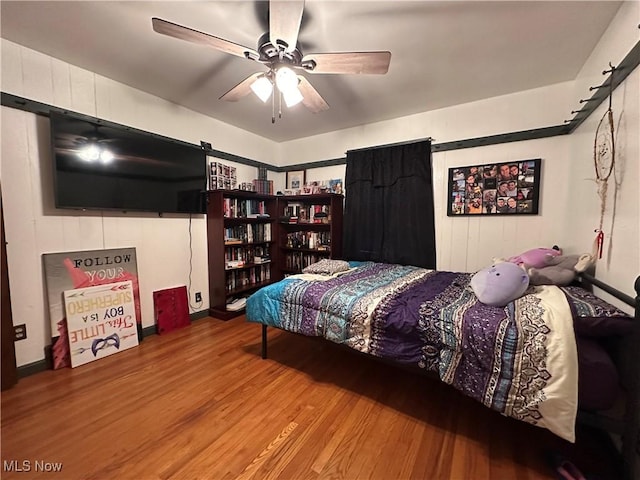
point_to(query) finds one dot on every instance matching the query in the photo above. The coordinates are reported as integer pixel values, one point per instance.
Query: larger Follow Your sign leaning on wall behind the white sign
(71, 270)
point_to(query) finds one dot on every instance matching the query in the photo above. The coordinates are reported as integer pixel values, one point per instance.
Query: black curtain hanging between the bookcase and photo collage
(389, 205)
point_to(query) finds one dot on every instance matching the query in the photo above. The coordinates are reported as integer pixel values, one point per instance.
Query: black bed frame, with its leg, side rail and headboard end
(625, 352)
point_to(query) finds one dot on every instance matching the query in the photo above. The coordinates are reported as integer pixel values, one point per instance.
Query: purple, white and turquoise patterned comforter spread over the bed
(519, 360)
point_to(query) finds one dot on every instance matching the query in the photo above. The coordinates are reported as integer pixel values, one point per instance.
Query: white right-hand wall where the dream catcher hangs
(620, 263)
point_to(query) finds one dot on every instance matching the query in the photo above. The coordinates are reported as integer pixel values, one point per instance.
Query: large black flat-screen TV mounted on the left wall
(100, 165)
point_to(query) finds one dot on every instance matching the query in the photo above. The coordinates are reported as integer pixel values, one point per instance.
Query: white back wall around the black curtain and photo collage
(467, 243)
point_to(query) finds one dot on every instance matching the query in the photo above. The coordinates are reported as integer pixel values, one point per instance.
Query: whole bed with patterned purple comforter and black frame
(525, 360)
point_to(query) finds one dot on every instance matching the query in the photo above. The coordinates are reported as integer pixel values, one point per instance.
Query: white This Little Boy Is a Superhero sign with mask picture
(101, 321)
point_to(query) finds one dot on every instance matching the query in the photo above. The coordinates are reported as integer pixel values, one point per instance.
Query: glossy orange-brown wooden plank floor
(201, 403)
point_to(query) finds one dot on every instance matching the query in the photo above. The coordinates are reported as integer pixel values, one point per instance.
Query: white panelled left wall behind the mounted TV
(33, 226)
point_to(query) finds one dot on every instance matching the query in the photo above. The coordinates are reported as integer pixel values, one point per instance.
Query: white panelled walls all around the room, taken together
(464, 244)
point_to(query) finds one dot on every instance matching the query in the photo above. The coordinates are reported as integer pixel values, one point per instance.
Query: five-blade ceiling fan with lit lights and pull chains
(279, 51)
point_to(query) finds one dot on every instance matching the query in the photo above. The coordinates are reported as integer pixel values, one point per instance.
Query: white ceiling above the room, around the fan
(442, 53)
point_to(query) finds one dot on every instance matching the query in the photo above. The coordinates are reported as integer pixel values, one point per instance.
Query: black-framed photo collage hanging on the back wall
(506, 188)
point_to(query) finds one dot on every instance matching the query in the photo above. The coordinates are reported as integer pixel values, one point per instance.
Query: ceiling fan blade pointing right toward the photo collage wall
(348, 62)
